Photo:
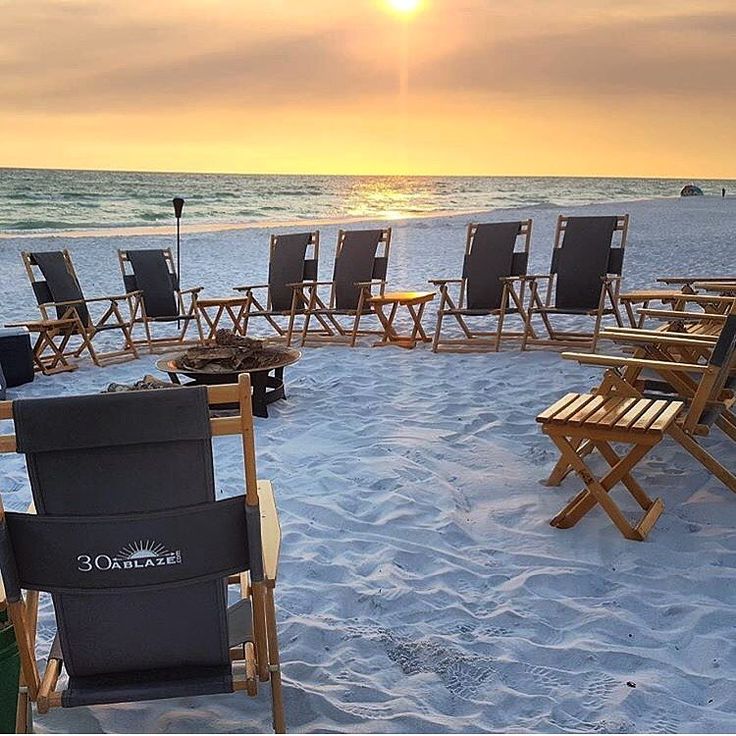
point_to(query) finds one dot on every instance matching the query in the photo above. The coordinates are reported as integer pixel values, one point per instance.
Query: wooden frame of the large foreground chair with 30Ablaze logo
(258, 659)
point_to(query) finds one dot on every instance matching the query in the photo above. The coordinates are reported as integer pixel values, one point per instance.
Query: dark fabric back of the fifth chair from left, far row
(490, 255)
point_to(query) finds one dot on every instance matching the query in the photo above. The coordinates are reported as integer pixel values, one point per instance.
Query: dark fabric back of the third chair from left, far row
(288, 264)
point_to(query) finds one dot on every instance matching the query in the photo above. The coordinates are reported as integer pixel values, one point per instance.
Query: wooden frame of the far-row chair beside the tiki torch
(188, 313)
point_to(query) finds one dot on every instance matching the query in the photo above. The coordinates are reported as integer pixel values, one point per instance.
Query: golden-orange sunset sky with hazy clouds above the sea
(472, 87)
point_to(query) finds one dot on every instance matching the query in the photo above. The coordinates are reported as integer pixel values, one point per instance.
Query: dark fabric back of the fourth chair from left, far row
(357, 261)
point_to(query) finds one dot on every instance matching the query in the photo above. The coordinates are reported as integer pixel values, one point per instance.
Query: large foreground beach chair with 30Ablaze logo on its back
(137, 554)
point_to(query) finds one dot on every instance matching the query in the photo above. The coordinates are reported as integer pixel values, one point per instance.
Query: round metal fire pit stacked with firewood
(230, 356)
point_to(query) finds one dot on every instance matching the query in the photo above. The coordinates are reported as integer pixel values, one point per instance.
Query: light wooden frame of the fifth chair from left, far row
(448, 306)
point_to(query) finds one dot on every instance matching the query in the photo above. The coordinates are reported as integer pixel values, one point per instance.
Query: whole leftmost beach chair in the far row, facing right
(59, 297)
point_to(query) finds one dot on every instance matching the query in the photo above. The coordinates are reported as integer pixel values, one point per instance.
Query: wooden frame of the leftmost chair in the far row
(112, 318)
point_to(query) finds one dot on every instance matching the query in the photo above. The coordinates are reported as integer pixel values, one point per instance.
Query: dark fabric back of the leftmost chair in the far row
(59, 282)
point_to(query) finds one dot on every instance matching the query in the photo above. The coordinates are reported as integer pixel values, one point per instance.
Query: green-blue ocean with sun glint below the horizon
(36, 201)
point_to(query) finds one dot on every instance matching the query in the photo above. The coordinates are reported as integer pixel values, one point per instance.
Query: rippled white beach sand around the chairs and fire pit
(422, 588)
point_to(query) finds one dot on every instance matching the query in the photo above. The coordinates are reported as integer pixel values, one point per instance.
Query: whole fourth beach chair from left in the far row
(361, 261)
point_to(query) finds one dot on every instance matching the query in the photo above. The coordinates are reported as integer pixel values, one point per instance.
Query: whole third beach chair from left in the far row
(290, 262)
